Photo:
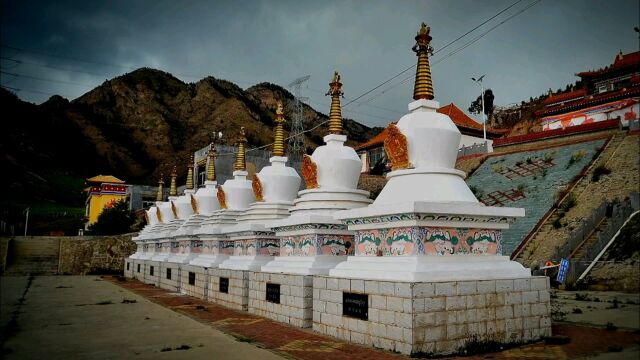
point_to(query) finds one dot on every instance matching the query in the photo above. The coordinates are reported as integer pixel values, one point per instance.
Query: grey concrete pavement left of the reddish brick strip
(84, 317)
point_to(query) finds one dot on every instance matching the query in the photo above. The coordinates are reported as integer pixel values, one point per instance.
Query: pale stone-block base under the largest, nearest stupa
(434, 318)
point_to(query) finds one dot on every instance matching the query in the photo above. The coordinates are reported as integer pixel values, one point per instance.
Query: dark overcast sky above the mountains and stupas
(69, 47)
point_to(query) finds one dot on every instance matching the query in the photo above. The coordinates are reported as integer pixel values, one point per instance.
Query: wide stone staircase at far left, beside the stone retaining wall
(33, 256)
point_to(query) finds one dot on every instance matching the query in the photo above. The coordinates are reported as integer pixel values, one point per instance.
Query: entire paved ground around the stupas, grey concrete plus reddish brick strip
(89, 317)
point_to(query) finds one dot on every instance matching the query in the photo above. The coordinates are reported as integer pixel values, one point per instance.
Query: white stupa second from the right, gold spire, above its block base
(312, 241)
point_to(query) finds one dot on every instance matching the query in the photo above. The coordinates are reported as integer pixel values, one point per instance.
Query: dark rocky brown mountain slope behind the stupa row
(138, 125)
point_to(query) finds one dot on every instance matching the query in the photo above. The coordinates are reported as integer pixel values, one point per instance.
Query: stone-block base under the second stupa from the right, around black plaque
(294, 304)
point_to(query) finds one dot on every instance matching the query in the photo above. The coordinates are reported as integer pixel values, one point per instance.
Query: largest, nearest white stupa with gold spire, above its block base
(426, 224)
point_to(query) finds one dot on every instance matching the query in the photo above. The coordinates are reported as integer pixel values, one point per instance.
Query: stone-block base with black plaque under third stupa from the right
(236, 285)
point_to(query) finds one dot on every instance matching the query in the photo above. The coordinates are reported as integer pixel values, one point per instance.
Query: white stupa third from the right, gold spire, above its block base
(274, 188)
